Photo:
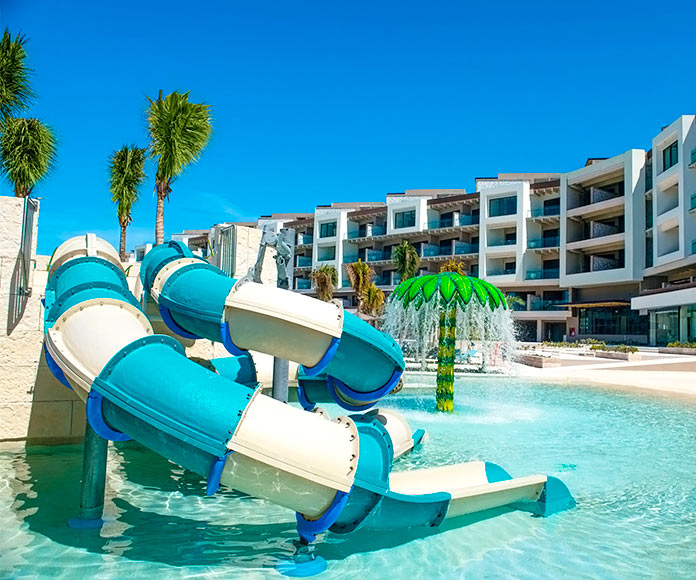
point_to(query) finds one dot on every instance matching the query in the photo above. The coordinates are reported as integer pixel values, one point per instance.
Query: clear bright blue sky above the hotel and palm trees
(320, 101)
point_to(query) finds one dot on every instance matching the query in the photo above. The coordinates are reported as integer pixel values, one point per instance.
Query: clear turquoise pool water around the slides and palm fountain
(629, 459)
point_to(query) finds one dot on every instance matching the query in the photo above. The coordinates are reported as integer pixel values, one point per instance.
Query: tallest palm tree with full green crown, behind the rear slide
(179, 131)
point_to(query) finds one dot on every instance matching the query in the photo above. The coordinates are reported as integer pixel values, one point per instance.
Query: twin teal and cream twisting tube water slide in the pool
(335, 474)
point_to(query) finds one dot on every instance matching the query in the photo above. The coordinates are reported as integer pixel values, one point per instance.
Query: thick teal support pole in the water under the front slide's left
(93, 481)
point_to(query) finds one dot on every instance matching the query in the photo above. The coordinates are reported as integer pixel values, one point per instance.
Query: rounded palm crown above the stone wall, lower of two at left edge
(27, 153)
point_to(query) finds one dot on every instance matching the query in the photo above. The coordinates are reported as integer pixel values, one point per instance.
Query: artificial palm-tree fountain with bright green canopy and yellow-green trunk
(444, 297)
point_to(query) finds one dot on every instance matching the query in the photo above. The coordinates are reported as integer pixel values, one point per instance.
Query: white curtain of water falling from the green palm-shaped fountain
(492, 332)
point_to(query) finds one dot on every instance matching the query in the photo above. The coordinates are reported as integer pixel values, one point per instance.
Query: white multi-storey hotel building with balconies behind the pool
(605, 251)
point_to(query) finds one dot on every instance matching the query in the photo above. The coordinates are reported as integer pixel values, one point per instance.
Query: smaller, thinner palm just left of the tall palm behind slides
(127, 172)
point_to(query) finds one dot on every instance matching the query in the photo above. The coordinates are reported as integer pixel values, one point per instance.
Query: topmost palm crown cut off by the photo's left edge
(15, 91)
